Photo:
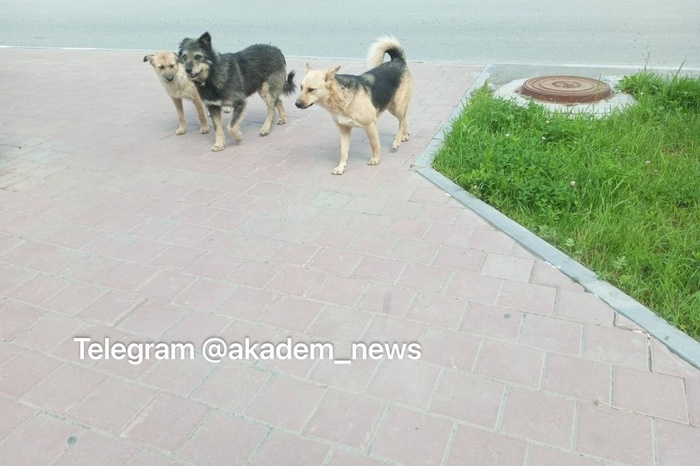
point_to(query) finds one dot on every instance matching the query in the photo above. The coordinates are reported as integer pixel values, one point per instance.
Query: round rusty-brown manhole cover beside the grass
(566, 89)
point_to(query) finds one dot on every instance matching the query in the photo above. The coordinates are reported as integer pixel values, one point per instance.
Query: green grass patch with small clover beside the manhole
(620, 194)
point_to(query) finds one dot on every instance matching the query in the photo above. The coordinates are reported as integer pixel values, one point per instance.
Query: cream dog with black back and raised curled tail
(357, 101)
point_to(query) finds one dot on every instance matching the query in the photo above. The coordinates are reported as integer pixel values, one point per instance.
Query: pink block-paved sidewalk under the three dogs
(112, 226)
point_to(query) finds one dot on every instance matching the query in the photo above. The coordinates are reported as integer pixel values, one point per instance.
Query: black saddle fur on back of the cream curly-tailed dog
(381, 83)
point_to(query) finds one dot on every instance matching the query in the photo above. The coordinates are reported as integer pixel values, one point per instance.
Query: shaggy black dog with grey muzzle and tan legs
(229, 78)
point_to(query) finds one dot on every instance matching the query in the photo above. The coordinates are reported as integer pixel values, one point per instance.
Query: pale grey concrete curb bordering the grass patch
(678, 342)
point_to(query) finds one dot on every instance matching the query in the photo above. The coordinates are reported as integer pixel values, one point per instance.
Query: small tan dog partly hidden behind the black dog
(174, 79)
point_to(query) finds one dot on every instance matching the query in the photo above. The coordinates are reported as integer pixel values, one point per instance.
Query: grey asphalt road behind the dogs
(607, 32)
